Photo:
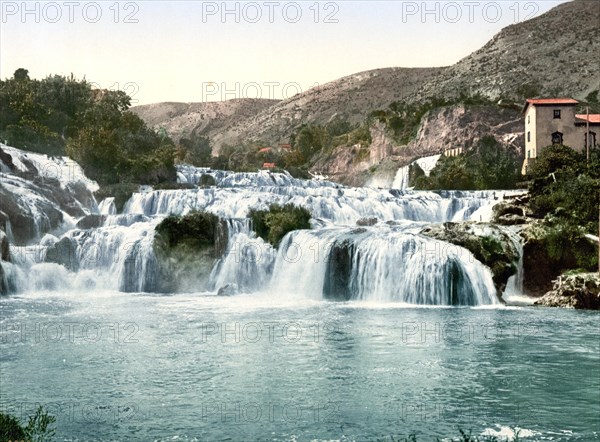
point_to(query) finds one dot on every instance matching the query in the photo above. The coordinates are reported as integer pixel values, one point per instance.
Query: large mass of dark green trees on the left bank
(59, 115)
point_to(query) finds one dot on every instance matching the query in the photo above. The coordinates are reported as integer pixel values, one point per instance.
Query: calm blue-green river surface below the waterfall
(125, 366)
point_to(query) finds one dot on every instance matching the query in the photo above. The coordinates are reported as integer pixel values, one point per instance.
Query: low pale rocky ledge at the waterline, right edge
(579, 291)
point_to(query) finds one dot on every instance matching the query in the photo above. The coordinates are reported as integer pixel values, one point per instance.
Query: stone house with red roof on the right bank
(553, 121)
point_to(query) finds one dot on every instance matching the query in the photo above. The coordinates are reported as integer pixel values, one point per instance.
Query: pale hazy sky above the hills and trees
(206, 51)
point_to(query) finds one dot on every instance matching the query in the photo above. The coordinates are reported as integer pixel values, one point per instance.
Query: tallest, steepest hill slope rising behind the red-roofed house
(556, 54)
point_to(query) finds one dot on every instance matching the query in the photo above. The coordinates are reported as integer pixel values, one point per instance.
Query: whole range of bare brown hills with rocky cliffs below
(556, 54)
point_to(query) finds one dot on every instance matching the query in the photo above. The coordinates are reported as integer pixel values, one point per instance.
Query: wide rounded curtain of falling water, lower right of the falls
(384, 264)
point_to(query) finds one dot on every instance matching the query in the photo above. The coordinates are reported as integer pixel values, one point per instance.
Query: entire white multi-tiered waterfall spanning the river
(386, 262)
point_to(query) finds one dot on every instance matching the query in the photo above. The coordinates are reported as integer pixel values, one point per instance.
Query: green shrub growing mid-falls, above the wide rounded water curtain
(273, 224)
